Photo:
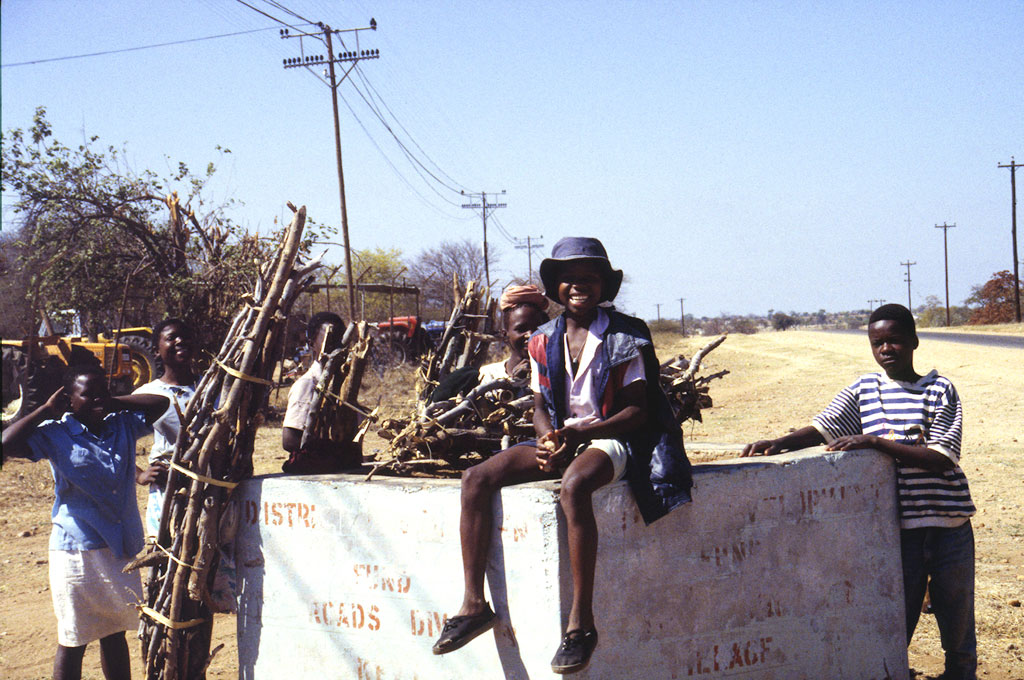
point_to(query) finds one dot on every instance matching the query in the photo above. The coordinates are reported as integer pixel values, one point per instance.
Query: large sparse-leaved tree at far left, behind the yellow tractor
(90, 230)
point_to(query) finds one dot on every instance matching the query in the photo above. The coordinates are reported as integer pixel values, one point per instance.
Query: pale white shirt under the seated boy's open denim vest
(585, 403)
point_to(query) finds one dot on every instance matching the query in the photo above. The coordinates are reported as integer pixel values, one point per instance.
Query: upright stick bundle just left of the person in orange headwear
(466, 341)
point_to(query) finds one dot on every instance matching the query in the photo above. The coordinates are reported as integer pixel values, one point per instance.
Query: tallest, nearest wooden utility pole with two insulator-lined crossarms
(350, 59)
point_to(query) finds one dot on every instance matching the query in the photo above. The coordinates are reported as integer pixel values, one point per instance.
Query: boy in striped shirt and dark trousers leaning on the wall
(917, 420)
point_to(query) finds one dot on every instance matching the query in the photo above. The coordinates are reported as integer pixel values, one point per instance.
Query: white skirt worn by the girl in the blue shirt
(92, 598)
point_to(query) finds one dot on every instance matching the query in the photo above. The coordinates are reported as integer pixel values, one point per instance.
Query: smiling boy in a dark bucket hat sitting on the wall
(601, 416)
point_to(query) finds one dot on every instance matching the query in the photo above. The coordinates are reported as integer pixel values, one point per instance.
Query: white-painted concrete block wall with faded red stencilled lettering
(782, 569)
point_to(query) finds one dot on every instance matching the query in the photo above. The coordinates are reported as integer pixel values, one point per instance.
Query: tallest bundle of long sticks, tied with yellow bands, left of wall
(214, 453)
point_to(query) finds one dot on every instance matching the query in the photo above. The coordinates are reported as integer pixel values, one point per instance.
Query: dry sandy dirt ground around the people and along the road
(778, 381)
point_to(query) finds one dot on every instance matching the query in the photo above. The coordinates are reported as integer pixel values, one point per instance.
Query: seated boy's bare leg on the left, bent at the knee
(480, 484)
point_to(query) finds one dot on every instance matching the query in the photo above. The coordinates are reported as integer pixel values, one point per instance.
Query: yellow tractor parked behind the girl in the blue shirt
(33, 368)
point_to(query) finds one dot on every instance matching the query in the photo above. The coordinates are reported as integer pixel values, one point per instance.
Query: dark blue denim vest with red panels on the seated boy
(658, 471)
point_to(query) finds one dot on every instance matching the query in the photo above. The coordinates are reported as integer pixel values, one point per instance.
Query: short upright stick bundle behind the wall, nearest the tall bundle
(334, 412)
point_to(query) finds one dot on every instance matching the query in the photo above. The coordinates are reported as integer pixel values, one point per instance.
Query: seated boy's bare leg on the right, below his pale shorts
(591, 471)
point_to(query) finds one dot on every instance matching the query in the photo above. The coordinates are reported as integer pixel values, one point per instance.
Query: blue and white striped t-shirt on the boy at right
(926, 413)
